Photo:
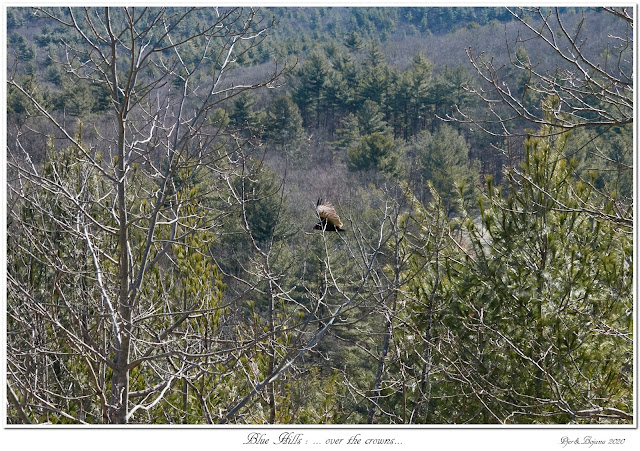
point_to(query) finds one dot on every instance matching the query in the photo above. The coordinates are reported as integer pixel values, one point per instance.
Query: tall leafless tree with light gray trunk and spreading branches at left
(158, 139)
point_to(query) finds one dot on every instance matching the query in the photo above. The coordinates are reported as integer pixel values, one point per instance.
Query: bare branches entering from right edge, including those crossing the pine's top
(585, 86)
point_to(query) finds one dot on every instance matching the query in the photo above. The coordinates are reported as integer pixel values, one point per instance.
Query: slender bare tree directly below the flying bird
(300, 311)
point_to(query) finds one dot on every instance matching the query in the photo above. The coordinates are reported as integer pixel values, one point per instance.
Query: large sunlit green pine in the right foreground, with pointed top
(544, 286)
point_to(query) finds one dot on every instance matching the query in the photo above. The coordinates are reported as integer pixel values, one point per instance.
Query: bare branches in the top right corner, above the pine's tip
(585, 87)
